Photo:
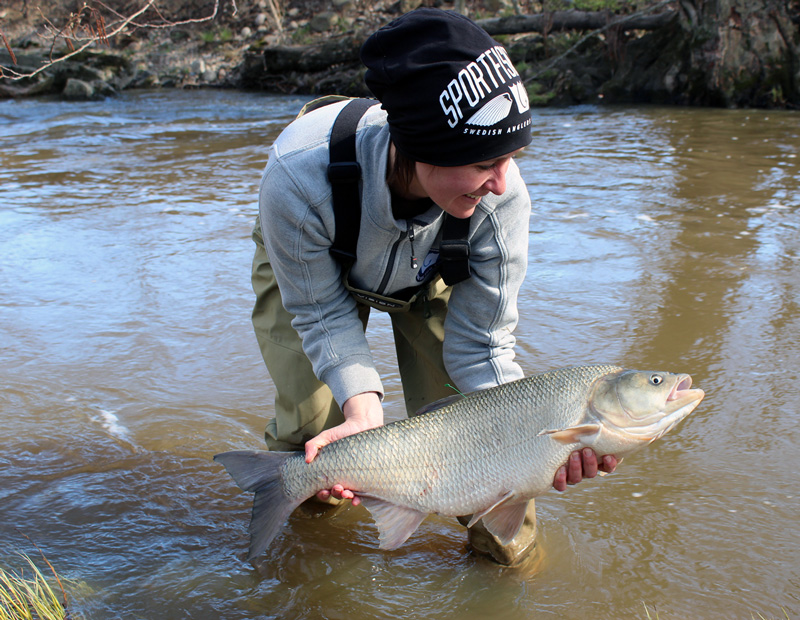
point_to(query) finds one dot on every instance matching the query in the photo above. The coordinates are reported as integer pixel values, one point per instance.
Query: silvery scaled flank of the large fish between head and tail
(429, 462)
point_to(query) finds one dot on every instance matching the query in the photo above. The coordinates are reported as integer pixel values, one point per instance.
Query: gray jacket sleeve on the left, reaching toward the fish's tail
(297, 225)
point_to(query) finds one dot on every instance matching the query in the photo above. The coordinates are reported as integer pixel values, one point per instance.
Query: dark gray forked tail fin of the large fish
(260, 472)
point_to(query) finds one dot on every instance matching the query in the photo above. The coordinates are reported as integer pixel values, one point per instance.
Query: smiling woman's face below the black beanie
(459, 189)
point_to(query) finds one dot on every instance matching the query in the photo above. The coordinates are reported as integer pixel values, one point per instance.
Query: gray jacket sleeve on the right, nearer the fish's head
(482, 313)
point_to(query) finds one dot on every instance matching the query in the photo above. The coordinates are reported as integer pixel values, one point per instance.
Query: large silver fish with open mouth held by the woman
(484, 455)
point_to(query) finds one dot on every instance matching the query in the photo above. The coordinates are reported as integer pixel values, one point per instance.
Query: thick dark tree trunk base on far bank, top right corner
(731, 53)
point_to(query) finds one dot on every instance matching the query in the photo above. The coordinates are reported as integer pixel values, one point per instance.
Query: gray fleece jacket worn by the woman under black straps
(298, 225)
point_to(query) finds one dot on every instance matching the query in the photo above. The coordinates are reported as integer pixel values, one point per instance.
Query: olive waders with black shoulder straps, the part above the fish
(304, 406)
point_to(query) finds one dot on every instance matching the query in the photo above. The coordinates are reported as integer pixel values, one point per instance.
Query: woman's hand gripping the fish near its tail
(361, 412)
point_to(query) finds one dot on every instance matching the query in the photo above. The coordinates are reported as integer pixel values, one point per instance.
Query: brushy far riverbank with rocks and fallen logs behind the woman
(735, 53)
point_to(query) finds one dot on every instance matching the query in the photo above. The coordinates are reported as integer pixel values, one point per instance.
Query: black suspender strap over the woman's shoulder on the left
(344, 174)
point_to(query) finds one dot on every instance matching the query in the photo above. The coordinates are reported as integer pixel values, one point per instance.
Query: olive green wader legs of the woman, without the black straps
(304, 405)
